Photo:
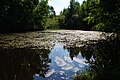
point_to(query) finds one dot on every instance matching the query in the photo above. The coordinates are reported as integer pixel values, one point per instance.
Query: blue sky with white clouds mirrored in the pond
(62, 67)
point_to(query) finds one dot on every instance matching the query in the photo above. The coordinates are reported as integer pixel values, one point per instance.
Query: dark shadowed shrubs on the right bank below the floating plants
(106, 63)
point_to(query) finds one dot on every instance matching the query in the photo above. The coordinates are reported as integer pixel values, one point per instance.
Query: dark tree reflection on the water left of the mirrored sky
(22, 64)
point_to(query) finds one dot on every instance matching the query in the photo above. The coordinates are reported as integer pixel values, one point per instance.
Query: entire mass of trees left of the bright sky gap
(22, 15)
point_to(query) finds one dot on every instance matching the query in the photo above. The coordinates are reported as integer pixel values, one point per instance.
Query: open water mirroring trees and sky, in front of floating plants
(57, 63)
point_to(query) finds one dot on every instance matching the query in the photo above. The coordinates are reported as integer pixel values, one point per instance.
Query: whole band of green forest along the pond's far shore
(22, 15)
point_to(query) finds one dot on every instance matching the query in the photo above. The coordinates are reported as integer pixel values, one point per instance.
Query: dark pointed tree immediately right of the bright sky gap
(71, 15)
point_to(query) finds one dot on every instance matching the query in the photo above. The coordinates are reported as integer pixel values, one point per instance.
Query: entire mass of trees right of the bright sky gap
(92, 15)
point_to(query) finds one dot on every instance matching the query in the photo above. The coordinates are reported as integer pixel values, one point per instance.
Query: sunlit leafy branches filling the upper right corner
(104, 12)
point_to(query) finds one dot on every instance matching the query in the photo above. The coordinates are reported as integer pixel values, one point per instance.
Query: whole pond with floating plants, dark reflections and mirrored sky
(59, 55)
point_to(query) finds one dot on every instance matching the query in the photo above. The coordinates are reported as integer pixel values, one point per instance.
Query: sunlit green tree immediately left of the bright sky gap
(40, 13)
